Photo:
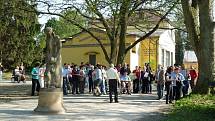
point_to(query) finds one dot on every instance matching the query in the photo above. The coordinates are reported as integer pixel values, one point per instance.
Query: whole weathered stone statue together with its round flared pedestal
(51, 97)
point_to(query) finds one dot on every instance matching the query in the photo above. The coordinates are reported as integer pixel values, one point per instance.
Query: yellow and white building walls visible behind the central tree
(149, 50)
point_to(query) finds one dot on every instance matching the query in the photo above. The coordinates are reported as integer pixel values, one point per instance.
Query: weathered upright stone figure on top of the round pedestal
(53, 73)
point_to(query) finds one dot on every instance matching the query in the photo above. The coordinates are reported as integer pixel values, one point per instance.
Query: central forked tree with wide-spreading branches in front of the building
(114, 17)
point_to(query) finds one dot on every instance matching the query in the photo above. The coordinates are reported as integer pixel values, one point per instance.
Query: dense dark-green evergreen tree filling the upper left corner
(17, 31)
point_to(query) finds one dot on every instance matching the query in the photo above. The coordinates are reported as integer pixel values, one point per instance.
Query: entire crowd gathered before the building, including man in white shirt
(99, 80)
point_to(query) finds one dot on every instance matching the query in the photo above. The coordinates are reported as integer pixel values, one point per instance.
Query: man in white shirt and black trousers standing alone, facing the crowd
(114, 80)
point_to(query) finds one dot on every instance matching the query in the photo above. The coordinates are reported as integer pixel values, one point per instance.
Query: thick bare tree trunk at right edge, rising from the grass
(201, 29)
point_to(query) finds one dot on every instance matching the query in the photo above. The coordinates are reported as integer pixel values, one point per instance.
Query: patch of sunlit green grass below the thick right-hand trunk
(193, 108)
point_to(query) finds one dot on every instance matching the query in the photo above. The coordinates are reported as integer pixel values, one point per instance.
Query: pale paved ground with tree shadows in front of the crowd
(136, 107)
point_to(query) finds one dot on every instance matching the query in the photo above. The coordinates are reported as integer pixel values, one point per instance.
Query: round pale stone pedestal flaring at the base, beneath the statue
(50, 101)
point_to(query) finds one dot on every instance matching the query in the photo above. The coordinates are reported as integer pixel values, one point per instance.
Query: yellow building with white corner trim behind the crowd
(83, 48)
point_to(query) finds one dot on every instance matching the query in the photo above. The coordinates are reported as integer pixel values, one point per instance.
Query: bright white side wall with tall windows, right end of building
(166, 49)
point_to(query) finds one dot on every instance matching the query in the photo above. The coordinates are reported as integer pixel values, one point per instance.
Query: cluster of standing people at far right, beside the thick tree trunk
(176, 80)
